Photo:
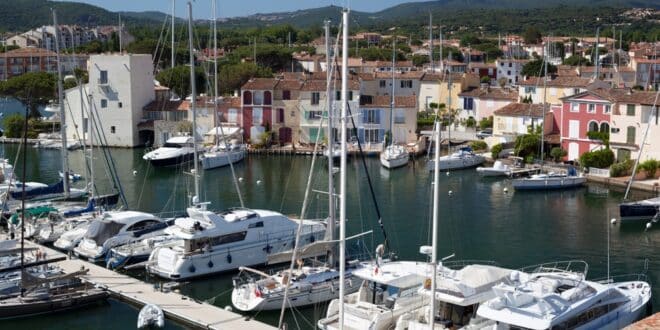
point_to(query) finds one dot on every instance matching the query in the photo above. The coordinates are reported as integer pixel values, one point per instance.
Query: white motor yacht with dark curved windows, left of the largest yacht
(117, 228)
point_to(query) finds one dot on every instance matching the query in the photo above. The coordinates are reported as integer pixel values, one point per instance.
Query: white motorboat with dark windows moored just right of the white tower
(177, 150)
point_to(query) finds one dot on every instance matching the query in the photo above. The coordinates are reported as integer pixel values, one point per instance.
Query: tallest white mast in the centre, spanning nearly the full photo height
(342, 171)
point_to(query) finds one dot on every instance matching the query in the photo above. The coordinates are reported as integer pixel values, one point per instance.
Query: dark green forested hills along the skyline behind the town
(499, 15)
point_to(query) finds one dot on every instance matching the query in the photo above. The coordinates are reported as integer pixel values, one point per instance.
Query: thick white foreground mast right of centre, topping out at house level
(434, 235)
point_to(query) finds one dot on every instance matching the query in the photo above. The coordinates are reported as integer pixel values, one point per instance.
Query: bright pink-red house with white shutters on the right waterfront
(582, 113)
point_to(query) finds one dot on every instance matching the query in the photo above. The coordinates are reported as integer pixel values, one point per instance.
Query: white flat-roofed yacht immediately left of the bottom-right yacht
(459, 291)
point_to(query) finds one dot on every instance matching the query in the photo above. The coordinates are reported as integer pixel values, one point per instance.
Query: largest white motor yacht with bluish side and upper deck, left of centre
(211, 242)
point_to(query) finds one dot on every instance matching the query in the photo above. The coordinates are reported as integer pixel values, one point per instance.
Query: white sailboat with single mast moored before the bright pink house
(551, 180)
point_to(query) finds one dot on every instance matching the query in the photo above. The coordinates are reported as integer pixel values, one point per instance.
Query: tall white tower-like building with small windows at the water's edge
(120, 86)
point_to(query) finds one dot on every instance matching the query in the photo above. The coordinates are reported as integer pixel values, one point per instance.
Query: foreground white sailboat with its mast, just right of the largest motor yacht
(310, 282)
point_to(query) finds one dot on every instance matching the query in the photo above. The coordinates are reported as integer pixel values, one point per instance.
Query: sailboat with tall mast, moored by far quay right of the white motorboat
(224, 152)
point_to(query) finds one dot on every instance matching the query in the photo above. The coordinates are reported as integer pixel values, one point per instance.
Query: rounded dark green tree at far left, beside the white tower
(33, 89)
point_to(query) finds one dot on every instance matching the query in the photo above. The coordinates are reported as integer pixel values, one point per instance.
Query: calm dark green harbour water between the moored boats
(478, 221)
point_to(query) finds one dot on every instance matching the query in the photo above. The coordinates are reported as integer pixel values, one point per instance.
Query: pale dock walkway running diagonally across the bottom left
(176, 306)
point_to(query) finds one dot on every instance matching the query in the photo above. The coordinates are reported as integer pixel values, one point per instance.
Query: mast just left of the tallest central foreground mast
(331, 142)
